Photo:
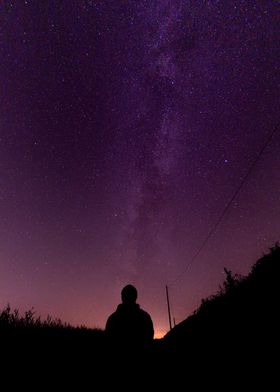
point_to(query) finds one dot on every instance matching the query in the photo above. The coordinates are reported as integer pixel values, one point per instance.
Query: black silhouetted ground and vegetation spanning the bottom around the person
(234, 334)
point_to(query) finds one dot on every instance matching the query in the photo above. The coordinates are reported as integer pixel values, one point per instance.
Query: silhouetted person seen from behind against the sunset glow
(130, 326)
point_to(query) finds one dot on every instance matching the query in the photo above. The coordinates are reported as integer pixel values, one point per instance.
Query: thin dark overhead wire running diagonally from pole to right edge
(212, 231)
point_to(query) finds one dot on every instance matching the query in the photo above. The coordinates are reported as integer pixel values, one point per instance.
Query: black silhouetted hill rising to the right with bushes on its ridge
(236, 328)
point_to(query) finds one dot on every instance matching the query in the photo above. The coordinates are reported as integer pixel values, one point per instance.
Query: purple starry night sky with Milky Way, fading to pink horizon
(125, 129)
